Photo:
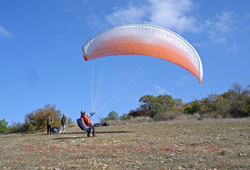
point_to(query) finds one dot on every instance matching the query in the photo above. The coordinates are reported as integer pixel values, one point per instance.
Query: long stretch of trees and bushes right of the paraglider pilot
(234, 103)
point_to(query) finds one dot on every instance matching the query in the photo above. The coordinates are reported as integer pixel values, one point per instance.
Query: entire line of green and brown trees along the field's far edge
(234, 103)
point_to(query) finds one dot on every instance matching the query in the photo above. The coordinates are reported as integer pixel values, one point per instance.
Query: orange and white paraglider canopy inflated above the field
(140, 39)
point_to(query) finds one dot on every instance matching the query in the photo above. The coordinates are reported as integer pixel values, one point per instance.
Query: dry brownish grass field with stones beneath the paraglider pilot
(190, 144)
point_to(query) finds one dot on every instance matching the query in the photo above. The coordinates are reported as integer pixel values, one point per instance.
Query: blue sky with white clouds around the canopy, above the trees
(41, 53)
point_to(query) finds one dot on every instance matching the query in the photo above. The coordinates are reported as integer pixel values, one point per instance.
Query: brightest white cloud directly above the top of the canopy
(172, 14)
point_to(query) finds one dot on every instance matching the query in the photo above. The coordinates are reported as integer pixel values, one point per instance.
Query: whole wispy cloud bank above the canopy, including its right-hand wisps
(175, 15)
